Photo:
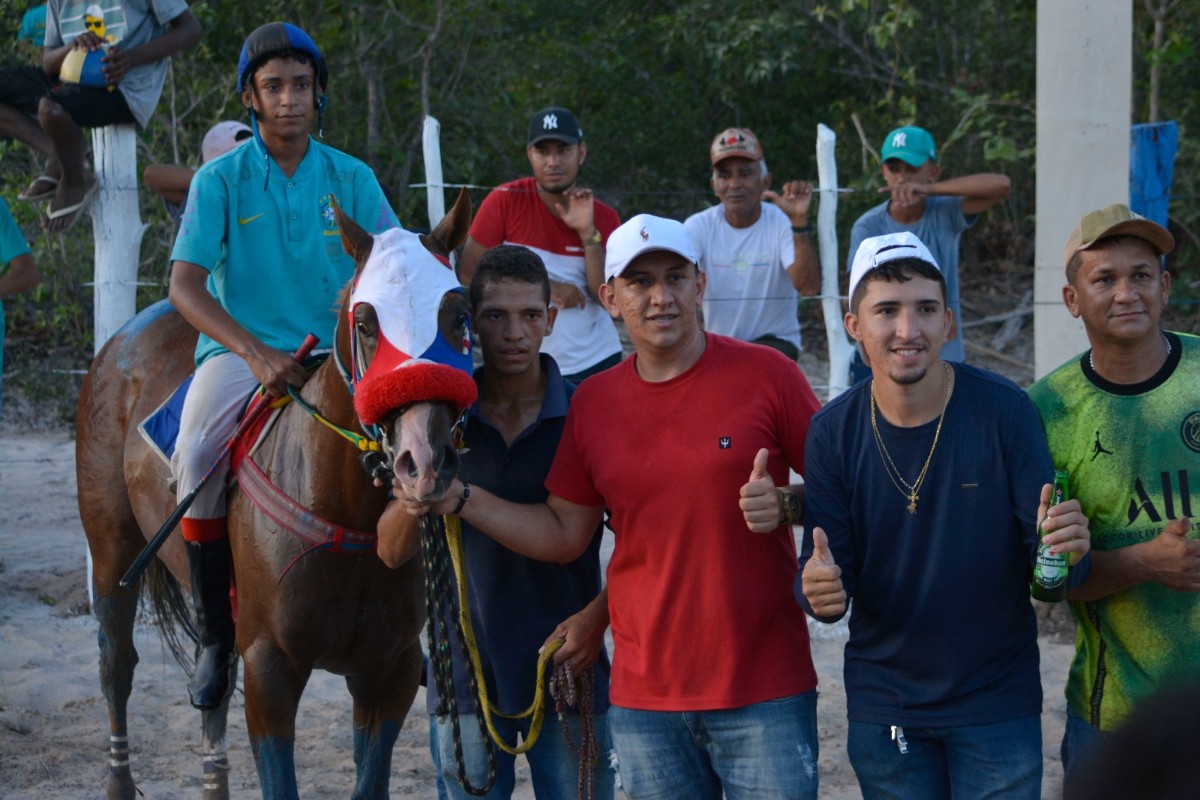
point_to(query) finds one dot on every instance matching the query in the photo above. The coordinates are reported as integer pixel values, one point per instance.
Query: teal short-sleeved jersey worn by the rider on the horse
(274, 254)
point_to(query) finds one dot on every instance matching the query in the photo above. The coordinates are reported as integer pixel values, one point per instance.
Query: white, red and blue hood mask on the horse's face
(413, 360)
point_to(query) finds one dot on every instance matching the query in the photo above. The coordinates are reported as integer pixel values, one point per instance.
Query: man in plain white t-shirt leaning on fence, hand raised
(758, 256)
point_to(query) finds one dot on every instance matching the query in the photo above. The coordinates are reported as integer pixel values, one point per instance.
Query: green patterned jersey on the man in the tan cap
(1133, 453)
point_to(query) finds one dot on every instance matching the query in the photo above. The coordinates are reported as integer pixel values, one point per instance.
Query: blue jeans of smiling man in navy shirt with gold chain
(997, 761)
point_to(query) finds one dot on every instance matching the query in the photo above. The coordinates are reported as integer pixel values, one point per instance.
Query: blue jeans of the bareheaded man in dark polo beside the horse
(554, 767)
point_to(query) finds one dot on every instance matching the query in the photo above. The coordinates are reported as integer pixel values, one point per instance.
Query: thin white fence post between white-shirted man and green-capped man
(841, 348)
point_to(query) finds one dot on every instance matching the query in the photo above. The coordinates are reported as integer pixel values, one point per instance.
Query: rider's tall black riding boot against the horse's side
(209, 564)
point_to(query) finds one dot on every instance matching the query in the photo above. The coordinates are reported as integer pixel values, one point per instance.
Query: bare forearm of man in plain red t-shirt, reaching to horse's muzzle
(557, 531)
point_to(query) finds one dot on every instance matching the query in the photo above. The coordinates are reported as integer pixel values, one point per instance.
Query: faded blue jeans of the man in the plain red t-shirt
(765, 751)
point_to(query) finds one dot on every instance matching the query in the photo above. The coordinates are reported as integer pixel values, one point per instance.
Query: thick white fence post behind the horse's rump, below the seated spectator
(117, 231)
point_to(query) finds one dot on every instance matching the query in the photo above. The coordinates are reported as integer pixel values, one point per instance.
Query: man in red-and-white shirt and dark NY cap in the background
(561, 221)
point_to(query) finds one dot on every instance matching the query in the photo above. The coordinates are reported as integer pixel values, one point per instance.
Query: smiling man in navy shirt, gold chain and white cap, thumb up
(922, 504)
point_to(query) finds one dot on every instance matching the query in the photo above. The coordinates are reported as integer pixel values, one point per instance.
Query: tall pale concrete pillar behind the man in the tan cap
(1085, 75)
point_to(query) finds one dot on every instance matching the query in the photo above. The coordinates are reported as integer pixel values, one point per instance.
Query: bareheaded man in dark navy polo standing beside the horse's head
(517, 604)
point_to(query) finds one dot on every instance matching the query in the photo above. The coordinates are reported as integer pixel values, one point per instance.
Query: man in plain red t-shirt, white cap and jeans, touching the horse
(713, 685)
